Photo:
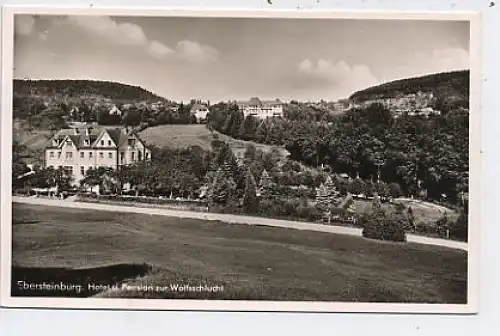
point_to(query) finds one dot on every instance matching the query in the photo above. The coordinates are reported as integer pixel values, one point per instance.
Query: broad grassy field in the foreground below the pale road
(250, 262)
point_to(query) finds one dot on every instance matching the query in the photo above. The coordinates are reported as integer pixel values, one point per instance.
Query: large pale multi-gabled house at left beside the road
(79, 149)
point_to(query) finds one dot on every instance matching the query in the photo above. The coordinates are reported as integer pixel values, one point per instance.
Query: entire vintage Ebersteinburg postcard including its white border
(299, 160)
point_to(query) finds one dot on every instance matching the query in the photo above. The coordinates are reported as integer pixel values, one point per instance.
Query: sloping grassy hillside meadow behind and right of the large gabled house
(181, 136)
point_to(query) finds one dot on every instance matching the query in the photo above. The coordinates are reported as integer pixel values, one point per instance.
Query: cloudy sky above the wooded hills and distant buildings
(224, 58)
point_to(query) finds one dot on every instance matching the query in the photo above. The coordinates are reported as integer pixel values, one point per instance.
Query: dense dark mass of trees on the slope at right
(426, 156)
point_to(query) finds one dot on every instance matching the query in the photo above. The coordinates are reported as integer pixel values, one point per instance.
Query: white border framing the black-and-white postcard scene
(7, 300)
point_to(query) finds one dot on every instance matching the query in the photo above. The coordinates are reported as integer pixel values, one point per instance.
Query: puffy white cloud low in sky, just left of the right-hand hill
(340, 75)
